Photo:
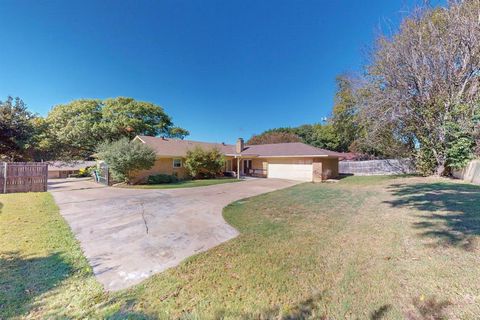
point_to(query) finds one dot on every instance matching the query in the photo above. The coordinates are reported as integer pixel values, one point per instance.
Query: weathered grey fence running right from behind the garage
(377, 167)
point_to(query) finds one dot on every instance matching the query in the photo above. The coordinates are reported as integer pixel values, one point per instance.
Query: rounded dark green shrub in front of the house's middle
(204, 163)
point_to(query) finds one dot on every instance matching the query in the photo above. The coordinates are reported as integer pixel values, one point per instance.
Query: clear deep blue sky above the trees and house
(222, 69)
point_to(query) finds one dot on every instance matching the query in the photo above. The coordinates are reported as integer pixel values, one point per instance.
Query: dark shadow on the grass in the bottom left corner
(23, 279)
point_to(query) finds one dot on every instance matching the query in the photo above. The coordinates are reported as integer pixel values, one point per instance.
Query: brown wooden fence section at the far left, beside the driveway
(23, 177)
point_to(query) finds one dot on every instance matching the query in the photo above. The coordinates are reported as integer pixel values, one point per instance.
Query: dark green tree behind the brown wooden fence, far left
(16, 130)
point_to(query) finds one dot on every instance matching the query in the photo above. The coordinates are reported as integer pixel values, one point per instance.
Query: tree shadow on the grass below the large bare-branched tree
(451, 211)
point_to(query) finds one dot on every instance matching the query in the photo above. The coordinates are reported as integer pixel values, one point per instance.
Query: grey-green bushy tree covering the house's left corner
(124, 157)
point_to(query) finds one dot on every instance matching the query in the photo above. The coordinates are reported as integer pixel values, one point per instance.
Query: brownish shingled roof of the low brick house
(178, 148)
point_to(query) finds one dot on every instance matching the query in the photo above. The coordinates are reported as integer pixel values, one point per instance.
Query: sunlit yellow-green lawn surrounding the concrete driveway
(363, 248)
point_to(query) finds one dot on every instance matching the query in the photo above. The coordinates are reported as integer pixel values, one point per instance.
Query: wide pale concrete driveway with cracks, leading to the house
(129, 234)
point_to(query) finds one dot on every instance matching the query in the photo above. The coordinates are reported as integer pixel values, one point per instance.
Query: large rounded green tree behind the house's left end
(74, 130)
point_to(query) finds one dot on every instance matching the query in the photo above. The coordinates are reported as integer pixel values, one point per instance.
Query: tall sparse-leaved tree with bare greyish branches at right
(426, 77)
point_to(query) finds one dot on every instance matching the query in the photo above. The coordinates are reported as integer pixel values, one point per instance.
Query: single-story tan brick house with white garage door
(295, 161)
